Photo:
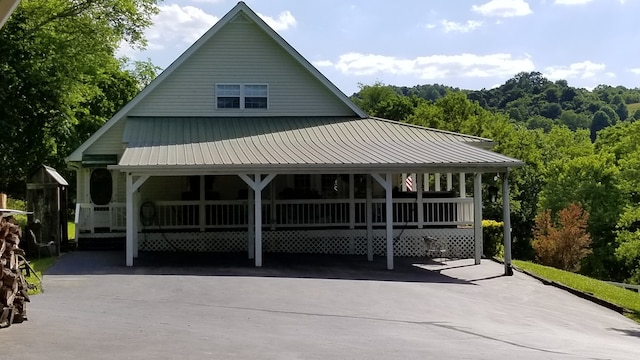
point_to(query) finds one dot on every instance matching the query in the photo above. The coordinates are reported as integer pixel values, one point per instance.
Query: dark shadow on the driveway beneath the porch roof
(236, 264)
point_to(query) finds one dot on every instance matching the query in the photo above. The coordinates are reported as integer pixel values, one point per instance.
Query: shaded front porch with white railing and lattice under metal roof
(358, 219)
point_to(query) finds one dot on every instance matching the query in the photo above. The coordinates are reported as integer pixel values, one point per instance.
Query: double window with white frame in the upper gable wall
(242, 96)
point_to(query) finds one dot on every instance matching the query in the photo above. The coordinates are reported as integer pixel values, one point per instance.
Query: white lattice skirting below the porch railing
(409, 242)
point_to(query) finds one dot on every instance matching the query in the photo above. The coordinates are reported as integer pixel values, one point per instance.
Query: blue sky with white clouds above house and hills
(470, 44)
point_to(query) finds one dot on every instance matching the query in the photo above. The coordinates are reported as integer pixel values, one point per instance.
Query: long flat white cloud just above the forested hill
(432, 67)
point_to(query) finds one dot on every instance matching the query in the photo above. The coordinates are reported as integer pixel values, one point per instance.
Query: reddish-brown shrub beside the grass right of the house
(565, 244)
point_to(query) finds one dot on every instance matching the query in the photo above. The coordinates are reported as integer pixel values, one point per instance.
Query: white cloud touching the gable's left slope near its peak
(174, 24)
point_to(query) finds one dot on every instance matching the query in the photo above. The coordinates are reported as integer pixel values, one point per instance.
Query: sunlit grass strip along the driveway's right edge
(627, 299)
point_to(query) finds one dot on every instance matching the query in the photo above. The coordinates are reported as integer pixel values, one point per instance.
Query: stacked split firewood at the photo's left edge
(13, 286)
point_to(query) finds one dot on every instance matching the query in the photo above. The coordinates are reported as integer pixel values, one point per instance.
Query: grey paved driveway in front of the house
(94, 308)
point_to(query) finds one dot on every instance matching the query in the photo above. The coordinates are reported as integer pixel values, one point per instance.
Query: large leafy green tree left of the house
(58, 66)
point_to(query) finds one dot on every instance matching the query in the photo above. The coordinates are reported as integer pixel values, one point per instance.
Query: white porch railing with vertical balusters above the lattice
(283, 213)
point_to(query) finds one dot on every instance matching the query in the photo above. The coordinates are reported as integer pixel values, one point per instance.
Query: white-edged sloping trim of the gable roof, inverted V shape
(240, 8)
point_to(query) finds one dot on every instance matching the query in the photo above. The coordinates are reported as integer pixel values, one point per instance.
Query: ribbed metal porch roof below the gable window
(233, 143)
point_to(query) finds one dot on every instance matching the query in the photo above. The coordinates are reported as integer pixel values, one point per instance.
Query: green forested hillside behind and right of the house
(579, 146)
